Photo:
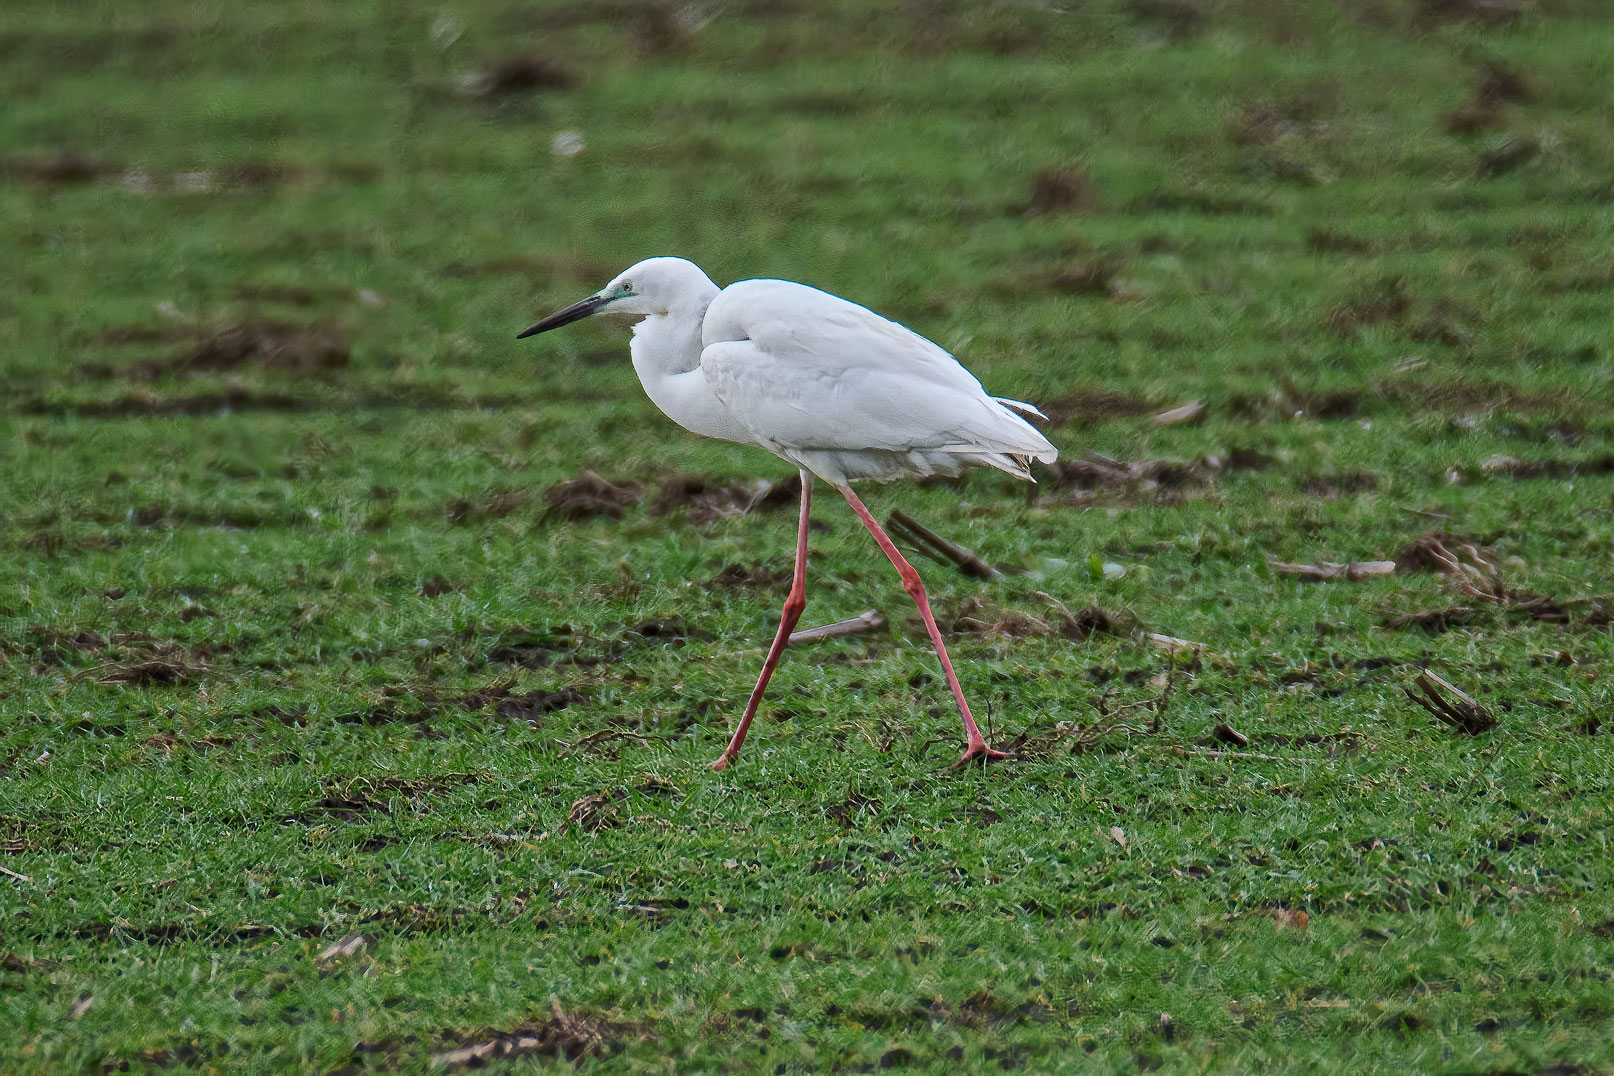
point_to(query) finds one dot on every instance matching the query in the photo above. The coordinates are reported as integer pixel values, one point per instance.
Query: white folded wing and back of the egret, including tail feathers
(850, 394)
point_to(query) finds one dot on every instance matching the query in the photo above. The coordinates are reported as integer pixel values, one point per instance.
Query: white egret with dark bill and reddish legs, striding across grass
(826, 385)
